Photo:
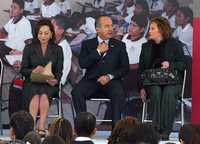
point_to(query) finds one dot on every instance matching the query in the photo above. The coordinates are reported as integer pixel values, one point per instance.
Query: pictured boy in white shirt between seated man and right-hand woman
(134, 40)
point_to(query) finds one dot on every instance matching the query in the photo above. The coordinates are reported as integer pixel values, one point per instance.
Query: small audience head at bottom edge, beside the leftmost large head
(32, 137)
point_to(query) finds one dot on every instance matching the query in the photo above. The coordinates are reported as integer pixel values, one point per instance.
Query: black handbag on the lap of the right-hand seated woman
(160, 76)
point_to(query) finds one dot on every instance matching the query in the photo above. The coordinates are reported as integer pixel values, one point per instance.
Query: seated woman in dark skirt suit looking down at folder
(35, 56)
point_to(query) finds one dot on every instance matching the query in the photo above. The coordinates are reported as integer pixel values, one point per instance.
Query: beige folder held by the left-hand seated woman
(44, 76)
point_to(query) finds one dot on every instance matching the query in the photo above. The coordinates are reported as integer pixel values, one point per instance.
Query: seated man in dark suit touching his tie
(106, 61)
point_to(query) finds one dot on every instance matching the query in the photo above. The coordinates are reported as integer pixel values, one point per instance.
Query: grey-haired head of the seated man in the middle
(104, 27)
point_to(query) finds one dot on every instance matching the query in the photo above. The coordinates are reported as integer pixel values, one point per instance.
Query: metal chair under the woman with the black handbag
(183, 101)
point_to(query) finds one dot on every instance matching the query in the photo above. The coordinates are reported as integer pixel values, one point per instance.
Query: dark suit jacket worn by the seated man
(115, 62)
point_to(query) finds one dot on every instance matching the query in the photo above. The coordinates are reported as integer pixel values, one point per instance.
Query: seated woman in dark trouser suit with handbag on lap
(165, 52)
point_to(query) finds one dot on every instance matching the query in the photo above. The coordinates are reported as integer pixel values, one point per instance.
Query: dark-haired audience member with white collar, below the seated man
(84, 125)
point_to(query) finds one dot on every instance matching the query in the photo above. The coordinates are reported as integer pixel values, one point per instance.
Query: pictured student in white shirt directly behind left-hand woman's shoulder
(59, 27)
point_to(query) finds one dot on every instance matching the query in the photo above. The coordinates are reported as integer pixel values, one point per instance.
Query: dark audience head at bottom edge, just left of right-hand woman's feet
(143, 133)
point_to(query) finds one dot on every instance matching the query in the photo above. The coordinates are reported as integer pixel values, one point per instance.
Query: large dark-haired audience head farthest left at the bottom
(20, 124)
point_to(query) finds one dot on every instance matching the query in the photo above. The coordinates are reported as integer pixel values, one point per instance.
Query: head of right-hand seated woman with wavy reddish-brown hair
(159, 29)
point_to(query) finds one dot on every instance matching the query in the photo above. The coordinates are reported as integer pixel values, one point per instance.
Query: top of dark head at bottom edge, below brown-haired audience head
(53, 140)
